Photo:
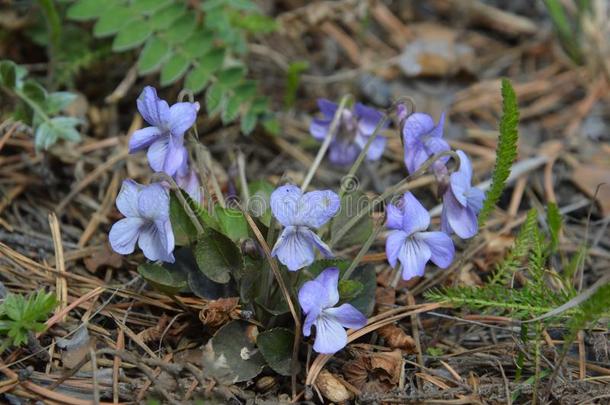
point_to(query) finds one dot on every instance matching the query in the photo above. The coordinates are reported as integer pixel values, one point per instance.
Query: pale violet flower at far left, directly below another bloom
(146, 210)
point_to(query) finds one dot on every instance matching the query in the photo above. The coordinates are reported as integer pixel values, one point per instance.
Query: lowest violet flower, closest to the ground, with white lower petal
(318, 298)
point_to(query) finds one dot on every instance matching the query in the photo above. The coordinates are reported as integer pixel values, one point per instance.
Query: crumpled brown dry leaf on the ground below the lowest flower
(374, 372)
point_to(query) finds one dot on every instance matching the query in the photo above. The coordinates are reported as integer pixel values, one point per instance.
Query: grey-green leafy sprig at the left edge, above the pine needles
(39, 108)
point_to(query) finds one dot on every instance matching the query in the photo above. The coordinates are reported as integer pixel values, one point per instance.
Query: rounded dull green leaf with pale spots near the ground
(230, 356)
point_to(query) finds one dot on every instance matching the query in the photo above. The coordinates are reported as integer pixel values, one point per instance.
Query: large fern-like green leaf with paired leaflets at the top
(174, 40)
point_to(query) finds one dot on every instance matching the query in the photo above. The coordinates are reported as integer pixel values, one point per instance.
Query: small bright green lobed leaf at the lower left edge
(20, 315)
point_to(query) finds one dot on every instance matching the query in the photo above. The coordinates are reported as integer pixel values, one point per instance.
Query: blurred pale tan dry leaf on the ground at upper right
(436, 51)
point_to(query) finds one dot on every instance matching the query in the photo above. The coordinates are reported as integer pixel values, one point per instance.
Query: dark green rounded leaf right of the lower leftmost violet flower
(218, 257)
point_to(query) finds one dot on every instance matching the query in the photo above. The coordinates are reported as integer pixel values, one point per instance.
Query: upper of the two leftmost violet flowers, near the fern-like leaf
(165, 137)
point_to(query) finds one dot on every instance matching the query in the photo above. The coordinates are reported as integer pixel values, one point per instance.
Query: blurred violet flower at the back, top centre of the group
(355, 128)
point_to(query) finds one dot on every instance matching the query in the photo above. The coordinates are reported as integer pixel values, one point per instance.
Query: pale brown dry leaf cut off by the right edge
(589, 177)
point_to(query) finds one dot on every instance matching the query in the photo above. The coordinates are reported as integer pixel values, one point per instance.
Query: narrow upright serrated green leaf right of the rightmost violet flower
(506, 151)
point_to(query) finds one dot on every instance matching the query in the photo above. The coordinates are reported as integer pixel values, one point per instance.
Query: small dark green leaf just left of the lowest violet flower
(276, 347)
